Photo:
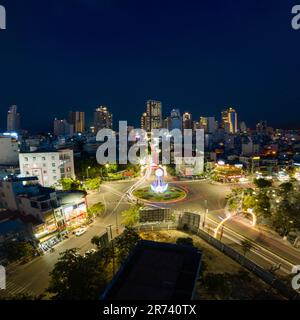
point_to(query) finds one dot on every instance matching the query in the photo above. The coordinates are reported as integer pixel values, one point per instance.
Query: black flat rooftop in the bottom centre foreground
(154, 270)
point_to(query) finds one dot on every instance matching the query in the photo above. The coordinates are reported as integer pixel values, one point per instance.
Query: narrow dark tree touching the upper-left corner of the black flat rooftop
(124, 243)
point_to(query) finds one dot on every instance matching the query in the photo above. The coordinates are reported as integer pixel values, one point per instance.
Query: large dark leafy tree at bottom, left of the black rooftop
(77, 277)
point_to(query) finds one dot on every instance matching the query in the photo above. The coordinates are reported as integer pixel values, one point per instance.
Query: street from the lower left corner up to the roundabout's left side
(33, 277)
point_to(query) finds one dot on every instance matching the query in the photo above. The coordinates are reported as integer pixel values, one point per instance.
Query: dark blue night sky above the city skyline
(197, 55)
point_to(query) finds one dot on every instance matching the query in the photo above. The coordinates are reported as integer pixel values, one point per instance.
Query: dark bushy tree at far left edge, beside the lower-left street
(17, 250)
